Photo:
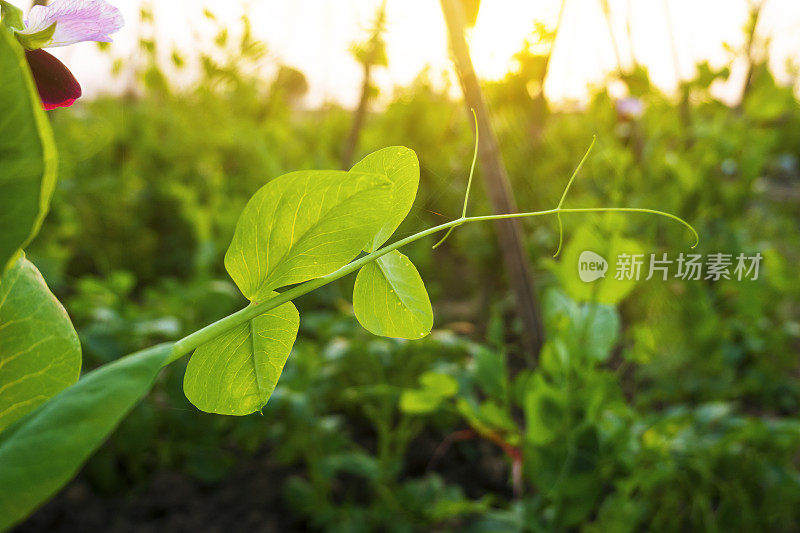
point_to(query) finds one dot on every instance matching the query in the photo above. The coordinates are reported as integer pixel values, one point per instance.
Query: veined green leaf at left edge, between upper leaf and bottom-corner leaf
(40, 354)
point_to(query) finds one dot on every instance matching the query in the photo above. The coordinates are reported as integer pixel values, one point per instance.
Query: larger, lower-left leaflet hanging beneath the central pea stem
(236, 373)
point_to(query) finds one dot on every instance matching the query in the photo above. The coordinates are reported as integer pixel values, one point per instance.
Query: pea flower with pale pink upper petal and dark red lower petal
(62, 23)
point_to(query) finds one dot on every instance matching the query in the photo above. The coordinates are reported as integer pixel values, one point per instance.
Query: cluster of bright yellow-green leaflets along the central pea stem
(302, 226)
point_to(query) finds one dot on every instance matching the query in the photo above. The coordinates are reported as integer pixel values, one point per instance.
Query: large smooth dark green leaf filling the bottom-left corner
(41, 452)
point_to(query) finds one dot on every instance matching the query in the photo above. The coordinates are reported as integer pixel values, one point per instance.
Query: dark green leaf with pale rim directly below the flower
(27, 152)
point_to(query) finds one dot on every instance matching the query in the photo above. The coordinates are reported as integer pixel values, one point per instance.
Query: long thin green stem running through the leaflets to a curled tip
(212, 331)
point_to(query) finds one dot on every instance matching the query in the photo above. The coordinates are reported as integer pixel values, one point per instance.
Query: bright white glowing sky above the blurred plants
(315, 35)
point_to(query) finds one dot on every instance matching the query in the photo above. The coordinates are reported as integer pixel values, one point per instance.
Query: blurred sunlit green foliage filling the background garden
(654, 406)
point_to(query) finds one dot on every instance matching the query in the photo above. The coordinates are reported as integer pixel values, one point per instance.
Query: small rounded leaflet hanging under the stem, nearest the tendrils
(389, 298)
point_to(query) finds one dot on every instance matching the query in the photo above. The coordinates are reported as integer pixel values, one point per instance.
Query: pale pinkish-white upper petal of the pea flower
(75, 20)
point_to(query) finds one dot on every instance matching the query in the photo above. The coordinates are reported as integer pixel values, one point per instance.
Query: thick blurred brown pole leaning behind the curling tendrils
(497, 187)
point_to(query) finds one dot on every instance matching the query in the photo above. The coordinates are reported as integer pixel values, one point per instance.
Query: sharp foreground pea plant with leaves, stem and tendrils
(299, 232)
